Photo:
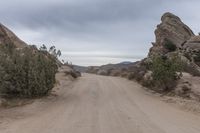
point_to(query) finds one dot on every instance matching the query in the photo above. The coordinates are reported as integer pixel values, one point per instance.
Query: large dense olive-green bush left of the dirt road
(26, 72)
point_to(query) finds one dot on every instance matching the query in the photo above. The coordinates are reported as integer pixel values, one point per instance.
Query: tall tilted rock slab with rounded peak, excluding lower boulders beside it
(171, 29)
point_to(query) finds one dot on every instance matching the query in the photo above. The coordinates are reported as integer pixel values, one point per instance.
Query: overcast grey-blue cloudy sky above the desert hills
(94, 32)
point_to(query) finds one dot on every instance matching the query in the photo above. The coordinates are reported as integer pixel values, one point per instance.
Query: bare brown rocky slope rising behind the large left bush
(8, 37)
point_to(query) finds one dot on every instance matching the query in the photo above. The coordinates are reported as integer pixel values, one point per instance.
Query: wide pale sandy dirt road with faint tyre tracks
(98, 104)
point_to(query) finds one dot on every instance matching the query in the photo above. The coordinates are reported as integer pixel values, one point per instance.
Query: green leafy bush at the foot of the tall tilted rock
(164, 72)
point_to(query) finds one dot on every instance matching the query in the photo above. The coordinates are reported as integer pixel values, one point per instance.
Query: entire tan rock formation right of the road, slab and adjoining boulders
(173, 36)
